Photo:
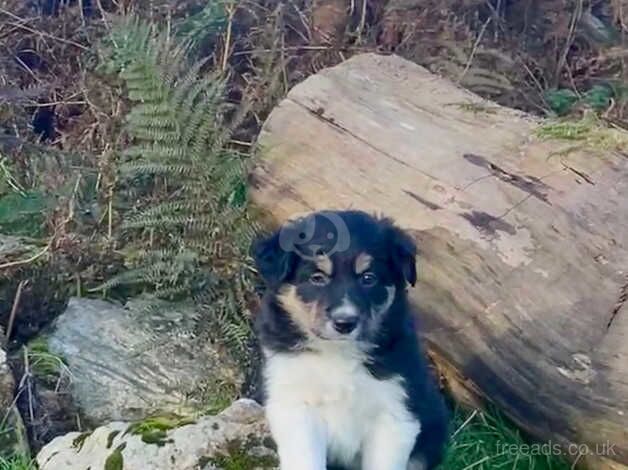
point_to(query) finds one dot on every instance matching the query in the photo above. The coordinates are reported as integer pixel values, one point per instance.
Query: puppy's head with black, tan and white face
(337, 274)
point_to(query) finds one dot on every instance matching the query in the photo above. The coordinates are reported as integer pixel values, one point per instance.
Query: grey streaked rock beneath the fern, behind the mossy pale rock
(127, 363)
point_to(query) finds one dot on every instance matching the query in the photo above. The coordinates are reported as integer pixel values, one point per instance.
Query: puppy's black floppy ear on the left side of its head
(273, 262)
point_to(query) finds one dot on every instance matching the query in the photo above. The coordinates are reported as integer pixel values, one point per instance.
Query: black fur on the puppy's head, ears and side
(282, 259)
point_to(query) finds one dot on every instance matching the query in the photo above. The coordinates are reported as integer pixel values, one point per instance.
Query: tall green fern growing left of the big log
(187, 228)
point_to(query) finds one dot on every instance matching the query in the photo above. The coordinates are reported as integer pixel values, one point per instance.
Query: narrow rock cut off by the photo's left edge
(13, 438)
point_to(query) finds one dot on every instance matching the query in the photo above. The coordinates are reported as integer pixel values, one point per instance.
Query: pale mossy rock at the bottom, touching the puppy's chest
(237, 436)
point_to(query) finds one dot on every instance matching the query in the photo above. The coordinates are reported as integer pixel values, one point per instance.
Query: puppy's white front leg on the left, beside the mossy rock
(300, 437)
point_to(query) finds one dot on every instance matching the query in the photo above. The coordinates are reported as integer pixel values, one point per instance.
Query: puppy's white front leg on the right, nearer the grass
(389, 443)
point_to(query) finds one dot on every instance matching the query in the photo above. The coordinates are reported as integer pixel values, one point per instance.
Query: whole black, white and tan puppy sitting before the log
(346, 383)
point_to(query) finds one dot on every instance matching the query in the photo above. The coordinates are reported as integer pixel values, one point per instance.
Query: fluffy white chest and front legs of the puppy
(334, 408)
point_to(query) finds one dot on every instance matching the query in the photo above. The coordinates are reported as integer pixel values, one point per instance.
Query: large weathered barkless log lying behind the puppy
(524, 247)
